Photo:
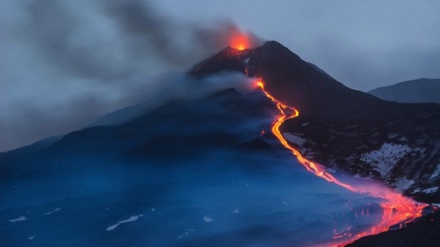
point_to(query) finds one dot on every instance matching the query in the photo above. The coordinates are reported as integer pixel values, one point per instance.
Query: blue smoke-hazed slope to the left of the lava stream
(188, 173)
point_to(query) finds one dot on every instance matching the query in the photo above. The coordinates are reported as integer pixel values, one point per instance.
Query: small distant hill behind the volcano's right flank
(415, 91)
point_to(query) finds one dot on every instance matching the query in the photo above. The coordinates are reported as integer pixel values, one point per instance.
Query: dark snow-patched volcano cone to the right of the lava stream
(342, 128)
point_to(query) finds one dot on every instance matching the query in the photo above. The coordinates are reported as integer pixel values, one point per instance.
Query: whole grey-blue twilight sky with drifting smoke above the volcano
(64, 63)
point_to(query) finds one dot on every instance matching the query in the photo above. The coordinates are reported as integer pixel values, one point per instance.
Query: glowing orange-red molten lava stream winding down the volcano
(397, 209)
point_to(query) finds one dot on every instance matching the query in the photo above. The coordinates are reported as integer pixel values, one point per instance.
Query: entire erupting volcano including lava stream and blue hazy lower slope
(217, 170)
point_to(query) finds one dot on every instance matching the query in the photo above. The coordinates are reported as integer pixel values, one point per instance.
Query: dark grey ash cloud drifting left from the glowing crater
(65, 63)
